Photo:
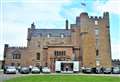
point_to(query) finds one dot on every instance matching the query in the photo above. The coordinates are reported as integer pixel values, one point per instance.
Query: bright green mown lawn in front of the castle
(64, 78)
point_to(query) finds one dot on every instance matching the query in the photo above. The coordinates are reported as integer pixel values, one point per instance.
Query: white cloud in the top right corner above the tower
(112, 6)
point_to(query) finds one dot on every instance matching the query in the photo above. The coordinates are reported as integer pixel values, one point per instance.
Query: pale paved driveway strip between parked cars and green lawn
(10, 76)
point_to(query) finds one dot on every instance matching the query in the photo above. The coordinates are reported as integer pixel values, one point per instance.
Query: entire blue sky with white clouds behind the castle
(16, 17)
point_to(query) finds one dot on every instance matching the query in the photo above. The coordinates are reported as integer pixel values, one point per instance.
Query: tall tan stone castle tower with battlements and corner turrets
(95, 40)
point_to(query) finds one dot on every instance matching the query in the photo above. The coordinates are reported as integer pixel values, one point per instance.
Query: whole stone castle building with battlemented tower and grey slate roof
(86, 41)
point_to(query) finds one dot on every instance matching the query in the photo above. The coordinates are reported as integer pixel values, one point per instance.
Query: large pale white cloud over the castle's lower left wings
(17, 15)
